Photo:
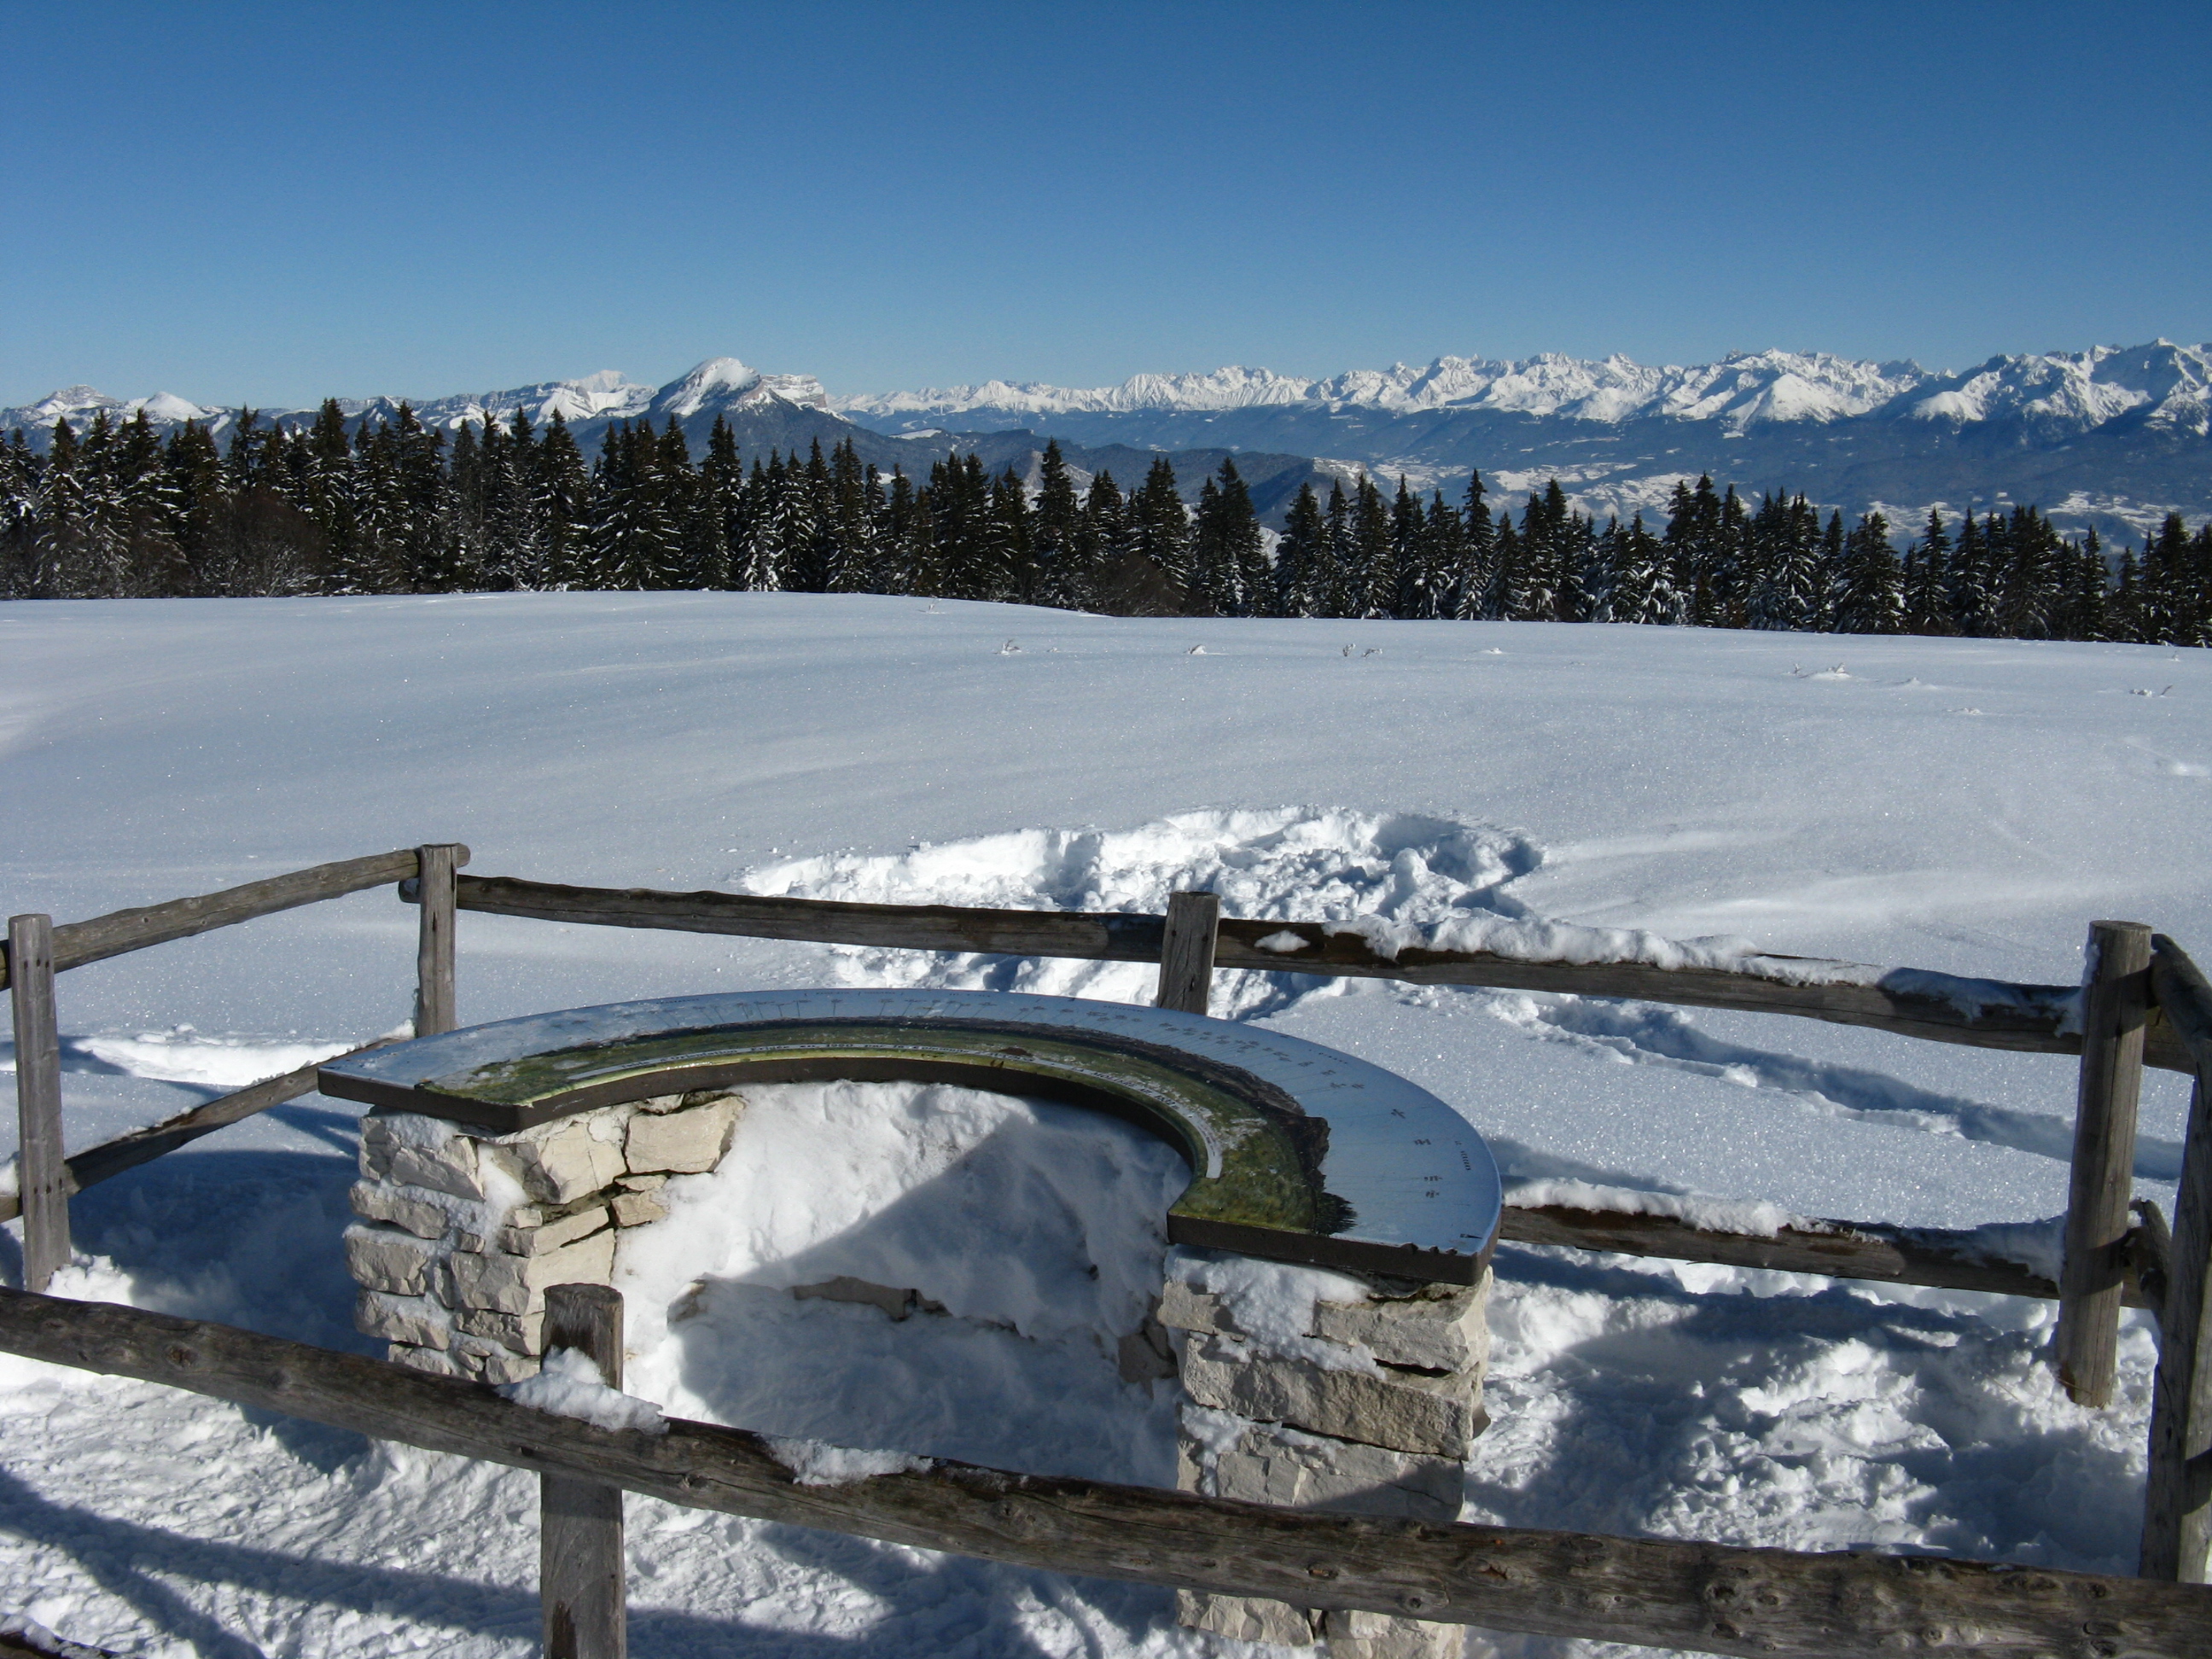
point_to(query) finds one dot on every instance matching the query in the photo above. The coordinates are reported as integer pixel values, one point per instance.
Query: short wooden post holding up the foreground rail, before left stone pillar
(581, 1563)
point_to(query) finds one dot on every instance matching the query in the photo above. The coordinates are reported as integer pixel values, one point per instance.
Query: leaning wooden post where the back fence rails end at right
(2116, 999)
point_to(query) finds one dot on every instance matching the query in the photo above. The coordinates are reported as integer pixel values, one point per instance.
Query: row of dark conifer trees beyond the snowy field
(397, 508)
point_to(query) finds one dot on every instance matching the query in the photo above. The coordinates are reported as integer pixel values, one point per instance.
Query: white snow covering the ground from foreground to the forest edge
(1963, 806)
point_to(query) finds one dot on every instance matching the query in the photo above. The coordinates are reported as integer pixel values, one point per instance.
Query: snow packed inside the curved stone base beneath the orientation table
(1023, 1240)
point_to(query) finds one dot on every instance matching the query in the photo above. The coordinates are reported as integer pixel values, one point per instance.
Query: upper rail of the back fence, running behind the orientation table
(1912, 1003)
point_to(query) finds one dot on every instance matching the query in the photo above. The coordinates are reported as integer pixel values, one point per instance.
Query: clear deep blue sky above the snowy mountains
(275, 205)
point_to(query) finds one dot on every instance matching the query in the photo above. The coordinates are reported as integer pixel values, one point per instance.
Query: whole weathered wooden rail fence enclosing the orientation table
(2140, 1003)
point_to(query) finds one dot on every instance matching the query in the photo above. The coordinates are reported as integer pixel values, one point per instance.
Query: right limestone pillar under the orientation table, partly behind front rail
(1364, 1406)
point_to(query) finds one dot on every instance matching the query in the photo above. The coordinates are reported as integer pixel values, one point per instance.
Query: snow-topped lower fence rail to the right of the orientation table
(1872, 1251)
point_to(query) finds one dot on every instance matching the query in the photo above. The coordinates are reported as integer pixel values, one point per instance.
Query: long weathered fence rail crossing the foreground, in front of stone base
(1651, 1592)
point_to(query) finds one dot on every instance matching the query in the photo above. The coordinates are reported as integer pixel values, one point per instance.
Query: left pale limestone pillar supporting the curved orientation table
(461, 1231)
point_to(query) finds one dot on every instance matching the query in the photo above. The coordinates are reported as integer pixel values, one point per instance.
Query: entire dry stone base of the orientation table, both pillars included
(461, 1233)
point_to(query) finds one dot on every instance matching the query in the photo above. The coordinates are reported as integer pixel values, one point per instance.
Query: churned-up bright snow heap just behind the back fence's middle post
(1273, 864)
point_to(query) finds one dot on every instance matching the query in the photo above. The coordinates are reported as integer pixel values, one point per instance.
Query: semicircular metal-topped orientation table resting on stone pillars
(1297, 1154)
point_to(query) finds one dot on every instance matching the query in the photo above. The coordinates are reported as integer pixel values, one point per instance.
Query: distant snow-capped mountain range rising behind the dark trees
(2109, 439)
